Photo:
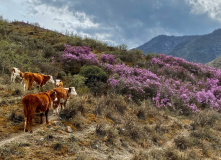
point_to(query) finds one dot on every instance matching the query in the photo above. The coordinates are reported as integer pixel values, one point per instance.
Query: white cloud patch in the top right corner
(212, 8)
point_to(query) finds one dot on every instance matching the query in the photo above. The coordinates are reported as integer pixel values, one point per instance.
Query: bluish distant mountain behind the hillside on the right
(199, 49)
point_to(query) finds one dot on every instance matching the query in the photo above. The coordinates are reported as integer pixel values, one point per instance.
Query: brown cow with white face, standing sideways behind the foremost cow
(40, 79)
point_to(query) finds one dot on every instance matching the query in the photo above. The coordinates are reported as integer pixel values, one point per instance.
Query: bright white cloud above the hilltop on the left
(60, 19)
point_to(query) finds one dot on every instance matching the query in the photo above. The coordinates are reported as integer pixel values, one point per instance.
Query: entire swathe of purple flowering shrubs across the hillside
(169, 81)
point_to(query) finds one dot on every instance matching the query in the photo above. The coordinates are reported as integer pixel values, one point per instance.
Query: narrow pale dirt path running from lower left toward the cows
(21, 135)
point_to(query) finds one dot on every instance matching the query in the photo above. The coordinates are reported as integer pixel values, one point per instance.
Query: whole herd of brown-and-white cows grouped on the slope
(42, 101)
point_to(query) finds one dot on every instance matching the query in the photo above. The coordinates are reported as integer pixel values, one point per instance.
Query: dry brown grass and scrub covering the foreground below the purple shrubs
(107, 127)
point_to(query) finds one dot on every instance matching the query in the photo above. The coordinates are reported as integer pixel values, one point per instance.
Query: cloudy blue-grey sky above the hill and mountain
(117, 22)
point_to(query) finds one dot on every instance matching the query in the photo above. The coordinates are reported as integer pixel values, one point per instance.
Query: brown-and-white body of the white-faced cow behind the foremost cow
(62, 97)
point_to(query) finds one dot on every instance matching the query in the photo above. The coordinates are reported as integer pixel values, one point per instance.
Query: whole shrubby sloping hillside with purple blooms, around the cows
(129, 105)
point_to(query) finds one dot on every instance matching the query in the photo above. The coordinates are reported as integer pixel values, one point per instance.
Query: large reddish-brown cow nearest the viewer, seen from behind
(39, 102)
